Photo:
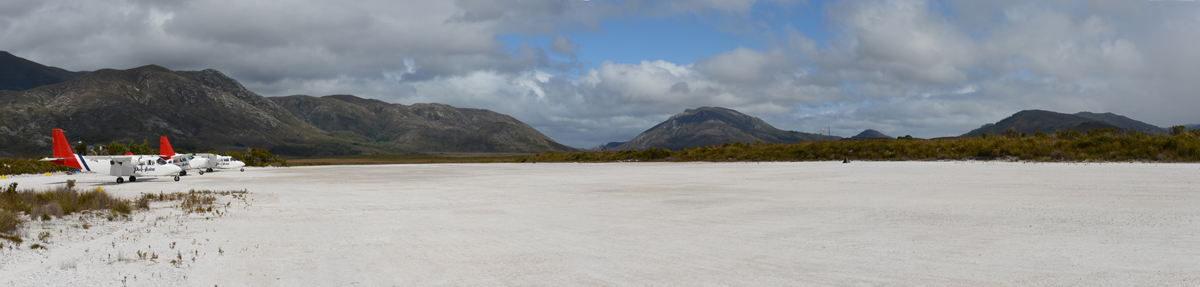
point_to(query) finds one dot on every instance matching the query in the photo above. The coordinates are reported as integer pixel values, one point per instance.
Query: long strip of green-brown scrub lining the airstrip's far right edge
(1106, 145)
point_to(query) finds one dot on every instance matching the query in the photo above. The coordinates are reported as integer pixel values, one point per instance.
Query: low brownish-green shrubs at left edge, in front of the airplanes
(55, 202)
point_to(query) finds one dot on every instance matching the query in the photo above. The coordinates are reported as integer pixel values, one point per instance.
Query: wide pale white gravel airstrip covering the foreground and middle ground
(787, 224)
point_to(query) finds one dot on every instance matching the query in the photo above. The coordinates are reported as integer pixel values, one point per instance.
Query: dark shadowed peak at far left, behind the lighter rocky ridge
(17, 74)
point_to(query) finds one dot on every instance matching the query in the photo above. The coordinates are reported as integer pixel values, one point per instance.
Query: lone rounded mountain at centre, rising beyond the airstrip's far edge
(715, 127)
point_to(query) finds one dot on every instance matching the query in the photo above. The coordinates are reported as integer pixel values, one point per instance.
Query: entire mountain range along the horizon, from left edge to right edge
(207, 110)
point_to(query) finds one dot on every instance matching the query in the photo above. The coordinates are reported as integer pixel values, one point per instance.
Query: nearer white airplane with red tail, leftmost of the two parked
(118, 166)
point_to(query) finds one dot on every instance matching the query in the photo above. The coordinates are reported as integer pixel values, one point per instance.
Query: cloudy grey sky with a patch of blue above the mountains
(598, 71)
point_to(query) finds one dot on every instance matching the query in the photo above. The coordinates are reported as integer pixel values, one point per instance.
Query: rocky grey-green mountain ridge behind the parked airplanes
(207, 110)
